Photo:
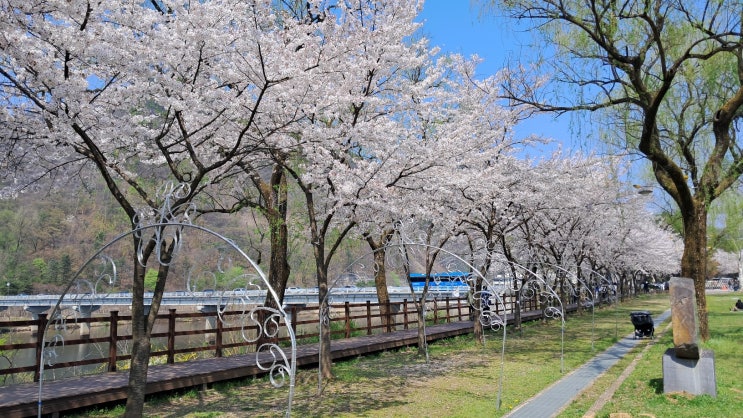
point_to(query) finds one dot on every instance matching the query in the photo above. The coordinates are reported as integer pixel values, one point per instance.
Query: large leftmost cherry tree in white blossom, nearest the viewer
(145, 93)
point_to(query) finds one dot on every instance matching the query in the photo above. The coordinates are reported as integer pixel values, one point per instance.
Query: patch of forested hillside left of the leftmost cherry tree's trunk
(43, 237)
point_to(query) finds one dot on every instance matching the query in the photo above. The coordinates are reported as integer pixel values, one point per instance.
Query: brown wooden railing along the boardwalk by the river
(220, 336)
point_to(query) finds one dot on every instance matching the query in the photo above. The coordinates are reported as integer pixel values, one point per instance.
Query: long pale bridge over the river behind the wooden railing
(210, 299)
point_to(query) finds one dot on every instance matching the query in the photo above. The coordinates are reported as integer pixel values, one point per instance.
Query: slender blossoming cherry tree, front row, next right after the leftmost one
(350, 115)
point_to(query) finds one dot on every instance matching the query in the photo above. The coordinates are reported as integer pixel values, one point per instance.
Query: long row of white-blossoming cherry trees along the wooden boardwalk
(342, 105)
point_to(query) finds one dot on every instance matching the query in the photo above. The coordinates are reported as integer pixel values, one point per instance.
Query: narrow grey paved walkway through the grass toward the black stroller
(556, 397)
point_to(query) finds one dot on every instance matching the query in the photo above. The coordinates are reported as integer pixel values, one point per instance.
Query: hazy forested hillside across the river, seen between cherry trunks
(46, 236)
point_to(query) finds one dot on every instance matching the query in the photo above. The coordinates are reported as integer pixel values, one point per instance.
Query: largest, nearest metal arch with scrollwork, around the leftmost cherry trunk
(270, 357)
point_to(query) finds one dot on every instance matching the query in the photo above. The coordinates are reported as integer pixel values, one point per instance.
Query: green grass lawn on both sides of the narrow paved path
(462, 378)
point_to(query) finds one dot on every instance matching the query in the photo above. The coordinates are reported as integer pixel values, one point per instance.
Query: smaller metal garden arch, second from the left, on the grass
(487, 318)
